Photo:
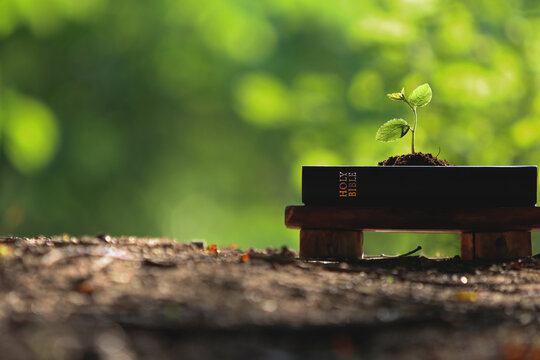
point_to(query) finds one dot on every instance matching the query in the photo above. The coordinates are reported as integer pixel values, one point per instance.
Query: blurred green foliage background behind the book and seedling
(191, 119)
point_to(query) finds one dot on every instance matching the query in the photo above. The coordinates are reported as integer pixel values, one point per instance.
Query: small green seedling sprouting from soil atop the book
(398, 128)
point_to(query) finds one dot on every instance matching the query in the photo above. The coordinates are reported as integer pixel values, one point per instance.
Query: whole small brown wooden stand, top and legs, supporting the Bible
(337, 232)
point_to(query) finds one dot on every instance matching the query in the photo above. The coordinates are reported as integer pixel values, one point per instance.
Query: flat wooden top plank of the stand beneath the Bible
(413, 220)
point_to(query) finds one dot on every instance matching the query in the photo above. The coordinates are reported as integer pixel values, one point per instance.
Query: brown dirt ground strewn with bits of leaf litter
(132, 298)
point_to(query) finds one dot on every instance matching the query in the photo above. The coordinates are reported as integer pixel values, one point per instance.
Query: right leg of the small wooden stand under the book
(495, 245)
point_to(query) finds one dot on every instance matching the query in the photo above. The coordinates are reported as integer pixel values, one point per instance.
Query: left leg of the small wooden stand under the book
(334, 244)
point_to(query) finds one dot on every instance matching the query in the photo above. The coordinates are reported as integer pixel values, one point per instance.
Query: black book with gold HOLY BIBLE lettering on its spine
(413, 186)
